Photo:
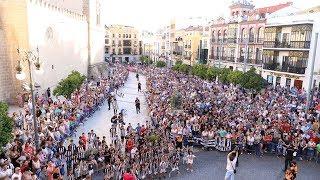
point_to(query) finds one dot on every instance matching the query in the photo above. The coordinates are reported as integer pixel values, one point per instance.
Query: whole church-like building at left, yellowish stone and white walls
(58, 30)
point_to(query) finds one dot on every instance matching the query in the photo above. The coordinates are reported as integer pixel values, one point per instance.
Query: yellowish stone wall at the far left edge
(13, 35)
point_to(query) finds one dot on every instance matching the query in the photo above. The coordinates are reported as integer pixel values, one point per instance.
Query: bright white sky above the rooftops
(153, 14)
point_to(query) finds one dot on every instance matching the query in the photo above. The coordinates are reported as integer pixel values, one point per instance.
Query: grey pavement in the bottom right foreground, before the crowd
(210, 165)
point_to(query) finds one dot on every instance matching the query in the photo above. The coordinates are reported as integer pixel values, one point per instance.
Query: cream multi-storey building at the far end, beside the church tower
(122, 43)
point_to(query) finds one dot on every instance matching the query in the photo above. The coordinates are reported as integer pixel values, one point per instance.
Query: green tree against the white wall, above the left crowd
(68, 85)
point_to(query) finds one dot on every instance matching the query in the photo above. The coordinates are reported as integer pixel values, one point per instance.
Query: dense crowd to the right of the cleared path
(271, 121)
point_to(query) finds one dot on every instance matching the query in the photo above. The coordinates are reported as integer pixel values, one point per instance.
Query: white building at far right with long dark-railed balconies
(288, 50)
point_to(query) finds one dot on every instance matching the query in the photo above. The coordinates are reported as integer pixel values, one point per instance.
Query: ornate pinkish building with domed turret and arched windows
(237, 41)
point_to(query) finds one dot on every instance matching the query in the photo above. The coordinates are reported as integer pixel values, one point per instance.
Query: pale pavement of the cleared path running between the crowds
(100, 120)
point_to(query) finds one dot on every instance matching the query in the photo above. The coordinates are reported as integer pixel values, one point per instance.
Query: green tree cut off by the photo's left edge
(6, 125)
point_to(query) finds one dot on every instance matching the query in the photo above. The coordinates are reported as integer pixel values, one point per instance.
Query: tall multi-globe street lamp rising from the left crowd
(30, 58)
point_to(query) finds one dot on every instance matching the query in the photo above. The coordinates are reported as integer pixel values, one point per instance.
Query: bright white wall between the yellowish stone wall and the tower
(62, 42)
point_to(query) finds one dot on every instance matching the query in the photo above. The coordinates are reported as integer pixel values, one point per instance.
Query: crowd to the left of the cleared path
(57, 119)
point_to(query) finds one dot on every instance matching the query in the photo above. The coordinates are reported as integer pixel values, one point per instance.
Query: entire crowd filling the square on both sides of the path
(271, 121)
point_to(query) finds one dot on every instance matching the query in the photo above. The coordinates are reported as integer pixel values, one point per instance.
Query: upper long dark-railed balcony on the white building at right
(284, 44)
